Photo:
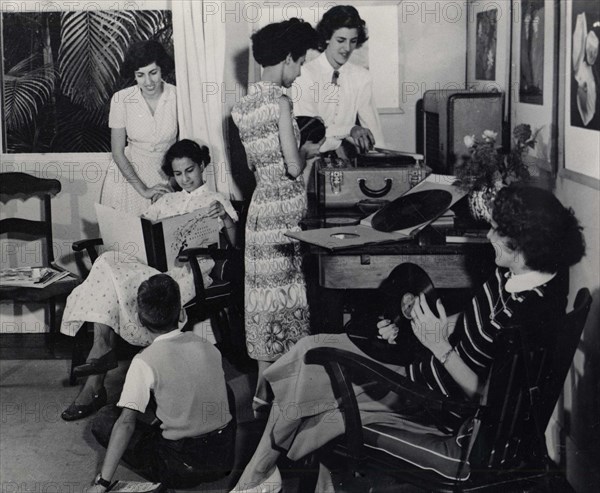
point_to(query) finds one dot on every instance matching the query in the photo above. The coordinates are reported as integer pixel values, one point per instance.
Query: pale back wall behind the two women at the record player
(422, 29)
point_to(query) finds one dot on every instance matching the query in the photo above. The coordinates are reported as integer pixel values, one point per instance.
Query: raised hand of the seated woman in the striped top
(431, 331)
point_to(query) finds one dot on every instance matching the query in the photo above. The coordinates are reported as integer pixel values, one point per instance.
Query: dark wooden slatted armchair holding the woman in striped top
(507, 446)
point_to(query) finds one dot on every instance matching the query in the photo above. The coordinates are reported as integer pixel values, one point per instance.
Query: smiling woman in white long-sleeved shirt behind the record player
(336, 89)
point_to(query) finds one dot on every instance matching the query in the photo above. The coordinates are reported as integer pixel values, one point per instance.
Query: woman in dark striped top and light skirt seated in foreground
(536, 240)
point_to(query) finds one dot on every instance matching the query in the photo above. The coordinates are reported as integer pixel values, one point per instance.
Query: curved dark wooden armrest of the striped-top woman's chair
(394, 382)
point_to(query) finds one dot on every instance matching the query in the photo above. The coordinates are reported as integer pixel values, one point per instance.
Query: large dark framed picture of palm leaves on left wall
(60, 70)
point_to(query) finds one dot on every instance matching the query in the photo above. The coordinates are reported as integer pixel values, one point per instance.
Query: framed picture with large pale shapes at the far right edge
(580, 91)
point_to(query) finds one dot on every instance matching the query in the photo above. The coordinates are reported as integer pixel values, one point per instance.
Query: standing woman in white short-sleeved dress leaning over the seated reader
(143, 122)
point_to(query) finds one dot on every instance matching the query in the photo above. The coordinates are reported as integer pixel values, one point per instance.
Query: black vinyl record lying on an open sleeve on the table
(411, 210)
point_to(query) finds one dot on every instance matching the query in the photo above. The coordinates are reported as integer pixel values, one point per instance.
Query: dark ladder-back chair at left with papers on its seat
(22, 186)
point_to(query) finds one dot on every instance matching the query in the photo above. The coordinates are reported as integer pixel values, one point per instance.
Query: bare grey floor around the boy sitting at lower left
(41, 453)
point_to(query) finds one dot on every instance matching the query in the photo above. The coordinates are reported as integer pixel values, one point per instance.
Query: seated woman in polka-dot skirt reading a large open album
(107, 298)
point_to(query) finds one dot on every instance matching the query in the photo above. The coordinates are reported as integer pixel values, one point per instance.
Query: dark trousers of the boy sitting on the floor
(180, 463)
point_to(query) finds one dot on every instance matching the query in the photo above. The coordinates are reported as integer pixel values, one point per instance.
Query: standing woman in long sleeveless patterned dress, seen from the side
(276, 308)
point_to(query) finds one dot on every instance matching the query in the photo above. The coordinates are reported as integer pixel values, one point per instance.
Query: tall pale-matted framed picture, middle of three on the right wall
(534, 86)
